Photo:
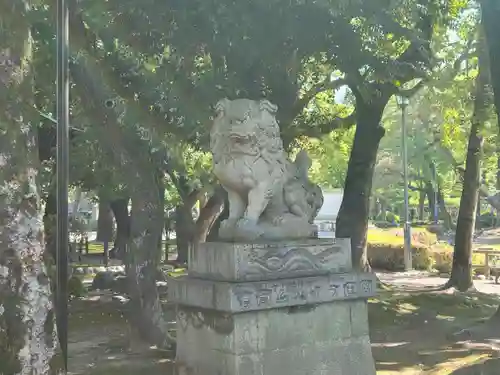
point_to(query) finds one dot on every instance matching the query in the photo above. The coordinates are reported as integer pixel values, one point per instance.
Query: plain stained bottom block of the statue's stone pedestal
(312, 341)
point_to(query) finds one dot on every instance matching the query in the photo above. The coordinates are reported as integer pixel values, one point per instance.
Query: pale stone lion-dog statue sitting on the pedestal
(269, 196)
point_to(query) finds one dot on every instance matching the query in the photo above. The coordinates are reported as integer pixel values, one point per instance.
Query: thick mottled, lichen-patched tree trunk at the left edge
(28, 340)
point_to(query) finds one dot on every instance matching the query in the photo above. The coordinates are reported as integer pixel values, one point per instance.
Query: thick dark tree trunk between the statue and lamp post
(352, 220)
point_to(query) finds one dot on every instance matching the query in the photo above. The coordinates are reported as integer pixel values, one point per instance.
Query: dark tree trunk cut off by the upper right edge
(490, 17)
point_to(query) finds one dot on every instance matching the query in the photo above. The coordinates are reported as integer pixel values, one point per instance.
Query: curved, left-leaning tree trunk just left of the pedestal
(147, 216)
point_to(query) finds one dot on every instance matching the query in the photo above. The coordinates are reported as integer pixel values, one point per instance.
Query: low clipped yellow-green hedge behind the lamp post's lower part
(390, 256)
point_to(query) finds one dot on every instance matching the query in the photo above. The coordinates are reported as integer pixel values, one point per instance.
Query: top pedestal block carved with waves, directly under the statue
(265, 261)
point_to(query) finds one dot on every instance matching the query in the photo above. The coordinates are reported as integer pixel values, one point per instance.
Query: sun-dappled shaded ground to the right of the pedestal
(421, 333)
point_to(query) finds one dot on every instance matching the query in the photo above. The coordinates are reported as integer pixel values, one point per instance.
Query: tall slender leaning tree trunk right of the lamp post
(461, 273)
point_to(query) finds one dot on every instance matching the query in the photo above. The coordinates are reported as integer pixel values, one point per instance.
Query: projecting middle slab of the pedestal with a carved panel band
(263, 295)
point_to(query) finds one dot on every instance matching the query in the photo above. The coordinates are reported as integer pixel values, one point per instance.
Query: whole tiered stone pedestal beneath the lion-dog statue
(281, 309)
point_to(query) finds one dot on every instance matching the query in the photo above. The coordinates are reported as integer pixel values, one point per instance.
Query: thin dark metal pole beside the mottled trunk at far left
(62, 170)
